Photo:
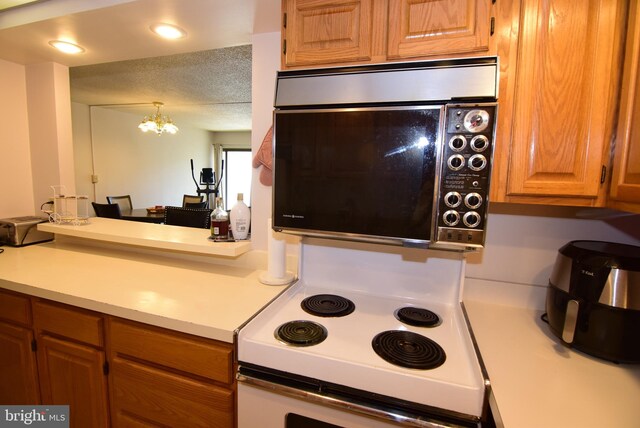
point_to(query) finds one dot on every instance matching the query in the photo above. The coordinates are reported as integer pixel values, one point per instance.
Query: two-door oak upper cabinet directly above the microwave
(335, 32)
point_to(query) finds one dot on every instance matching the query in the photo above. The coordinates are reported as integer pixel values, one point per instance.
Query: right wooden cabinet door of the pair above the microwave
(437, 27)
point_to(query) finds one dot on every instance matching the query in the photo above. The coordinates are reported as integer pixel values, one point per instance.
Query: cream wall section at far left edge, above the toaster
(16, 191)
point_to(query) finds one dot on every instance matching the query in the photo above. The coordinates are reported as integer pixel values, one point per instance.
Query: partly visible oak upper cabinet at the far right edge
(625, 184)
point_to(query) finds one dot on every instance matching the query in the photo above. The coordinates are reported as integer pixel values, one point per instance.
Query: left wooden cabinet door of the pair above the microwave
(327, 31)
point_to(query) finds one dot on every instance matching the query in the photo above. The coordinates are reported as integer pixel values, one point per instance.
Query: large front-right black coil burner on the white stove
(408, 349)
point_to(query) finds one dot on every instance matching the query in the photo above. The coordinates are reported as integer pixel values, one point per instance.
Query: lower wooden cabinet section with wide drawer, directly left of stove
(164, 378)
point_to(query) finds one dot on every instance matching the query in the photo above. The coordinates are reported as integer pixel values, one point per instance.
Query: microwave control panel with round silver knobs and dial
(466, 158)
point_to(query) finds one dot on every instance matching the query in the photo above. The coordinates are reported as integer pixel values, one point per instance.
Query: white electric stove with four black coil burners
(368, 331)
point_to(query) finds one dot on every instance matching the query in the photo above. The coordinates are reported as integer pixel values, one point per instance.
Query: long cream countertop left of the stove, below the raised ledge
(188, 295)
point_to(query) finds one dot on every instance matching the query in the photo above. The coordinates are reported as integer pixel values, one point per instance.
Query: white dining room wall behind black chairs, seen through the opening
(154, 170)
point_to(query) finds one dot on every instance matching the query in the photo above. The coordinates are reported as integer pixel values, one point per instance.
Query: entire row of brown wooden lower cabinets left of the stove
(112, 372)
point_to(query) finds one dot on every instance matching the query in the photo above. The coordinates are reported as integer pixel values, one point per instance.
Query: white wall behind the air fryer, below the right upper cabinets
(523, 241)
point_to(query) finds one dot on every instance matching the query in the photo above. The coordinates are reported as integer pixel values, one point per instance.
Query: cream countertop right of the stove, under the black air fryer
(537, 381)
